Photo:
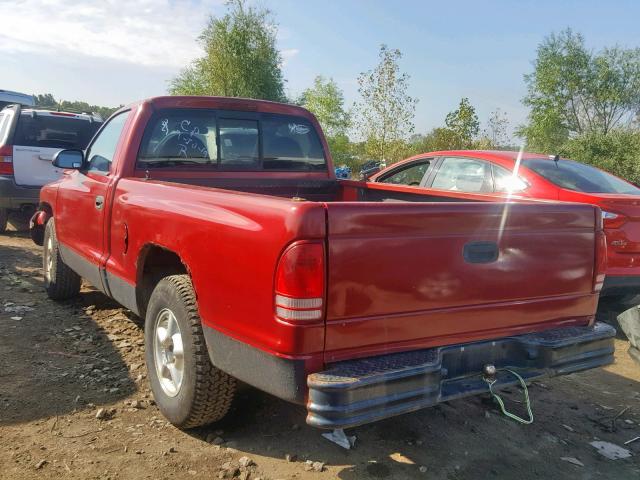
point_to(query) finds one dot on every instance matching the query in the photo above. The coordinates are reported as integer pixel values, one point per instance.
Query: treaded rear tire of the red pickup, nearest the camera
(205, 392)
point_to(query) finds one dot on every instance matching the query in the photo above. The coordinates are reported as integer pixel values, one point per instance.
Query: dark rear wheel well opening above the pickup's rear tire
(155, 263)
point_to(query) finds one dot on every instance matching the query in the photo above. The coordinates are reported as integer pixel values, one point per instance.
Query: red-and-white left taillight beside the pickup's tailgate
(299, 283)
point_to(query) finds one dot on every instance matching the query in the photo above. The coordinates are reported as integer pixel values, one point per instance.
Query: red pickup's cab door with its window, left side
(82, 203)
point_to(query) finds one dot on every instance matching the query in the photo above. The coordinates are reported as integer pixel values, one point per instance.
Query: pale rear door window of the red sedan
(463, 175)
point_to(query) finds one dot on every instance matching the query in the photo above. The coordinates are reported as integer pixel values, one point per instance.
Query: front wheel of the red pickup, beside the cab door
(60, 282)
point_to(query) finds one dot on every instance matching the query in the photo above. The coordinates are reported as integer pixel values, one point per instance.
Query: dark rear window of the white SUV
(49, 131)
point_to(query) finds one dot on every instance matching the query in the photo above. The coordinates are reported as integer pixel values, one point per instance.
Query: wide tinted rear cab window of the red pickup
(215, 139)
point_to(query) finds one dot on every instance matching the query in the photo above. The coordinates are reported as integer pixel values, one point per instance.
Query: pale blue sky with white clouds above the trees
(115, 52)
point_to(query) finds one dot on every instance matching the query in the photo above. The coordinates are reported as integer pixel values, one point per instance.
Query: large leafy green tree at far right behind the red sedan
(574, 91)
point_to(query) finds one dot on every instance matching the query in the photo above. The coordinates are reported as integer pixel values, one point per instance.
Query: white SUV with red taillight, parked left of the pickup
(29, 137)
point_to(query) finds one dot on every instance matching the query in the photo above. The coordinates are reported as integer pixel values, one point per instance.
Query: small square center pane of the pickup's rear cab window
(239, 142)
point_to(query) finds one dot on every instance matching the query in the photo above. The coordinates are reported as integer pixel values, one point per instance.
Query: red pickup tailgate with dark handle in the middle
(407, 275)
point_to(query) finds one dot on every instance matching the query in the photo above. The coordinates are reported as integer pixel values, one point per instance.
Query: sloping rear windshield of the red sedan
(579, 177)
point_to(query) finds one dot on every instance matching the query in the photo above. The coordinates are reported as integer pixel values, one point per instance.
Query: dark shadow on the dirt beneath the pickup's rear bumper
(462, 439)
